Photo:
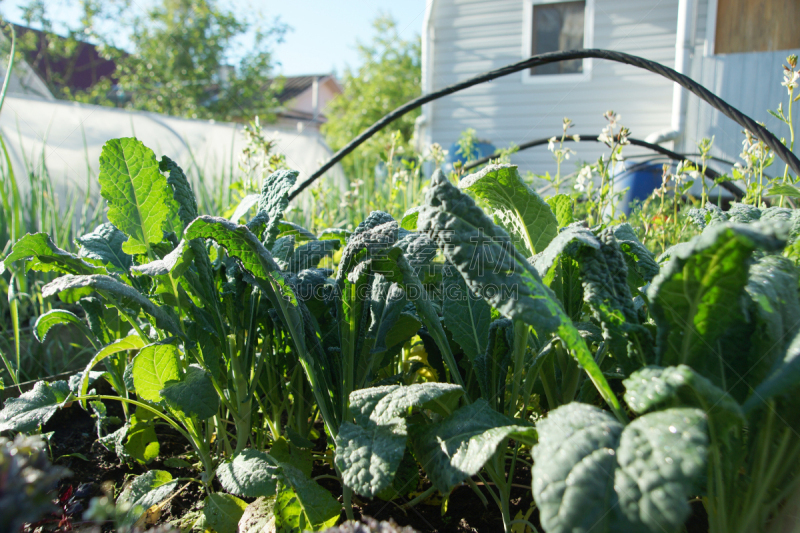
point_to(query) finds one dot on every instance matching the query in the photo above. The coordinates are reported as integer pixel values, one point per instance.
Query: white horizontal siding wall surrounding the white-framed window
(473, 36)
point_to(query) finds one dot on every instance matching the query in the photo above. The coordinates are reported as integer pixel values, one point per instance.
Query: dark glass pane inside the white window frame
(558, 26)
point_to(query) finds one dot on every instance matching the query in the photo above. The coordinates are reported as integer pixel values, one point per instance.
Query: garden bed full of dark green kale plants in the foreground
(490, 360)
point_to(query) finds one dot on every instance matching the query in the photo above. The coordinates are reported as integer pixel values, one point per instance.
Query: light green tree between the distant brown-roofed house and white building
(389, 77)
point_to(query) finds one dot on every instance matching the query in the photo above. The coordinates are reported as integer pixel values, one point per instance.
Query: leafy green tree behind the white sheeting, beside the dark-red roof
(180, 59)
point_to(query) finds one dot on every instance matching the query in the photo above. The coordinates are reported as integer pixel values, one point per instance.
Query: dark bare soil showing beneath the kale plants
(74, 433)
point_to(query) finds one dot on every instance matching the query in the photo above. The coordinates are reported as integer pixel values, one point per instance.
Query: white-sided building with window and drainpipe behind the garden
(735, 48)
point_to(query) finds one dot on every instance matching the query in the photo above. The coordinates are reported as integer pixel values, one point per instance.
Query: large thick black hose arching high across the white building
(554, 57)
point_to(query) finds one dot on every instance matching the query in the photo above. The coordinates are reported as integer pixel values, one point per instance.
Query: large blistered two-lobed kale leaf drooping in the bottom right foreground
(609, 477)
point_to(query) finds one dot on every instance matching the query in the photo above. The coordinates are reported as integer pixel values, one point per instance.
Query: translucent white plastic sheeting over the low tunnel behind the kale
(67, 138)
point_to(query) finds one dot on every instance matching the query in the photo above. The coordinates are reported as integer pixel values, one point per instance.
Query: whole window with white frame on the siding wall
(550, 26)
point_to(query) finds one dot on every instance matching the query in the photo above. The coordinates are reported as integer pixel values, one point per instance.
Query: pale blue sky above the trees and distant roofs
(324, 32)
